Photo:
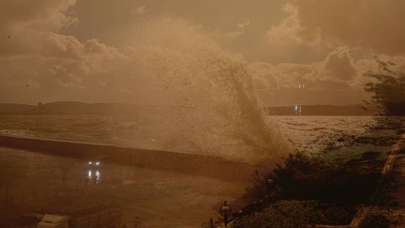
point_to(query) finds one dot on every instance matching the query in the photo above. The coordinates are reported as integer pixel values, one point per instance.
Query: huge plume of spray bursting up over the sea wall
(203, 97)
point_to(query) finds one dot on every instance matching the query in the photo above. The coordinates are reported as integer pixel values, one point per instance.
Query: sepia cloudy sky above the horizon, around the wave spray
(140, 51)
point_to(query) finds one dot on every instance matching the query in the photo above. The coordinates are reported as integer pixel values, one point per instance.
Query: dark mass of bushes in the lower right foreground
(312, 190)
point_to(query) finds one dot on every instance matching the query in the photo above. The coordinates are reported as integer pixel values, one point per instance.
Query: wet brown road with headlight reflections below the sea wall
(149, 197)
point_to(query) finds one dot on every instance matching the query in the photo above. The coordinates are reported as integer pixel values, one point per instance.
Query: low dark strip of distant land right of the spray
(323, 110)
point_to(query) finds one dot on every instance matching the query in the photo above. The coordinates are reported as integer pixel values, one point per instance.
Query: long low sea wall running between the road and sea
(192, 164)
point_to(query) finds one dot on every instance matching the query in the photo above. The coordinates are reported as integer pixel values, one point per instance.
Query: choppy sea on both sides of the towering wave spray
(311, 134)
